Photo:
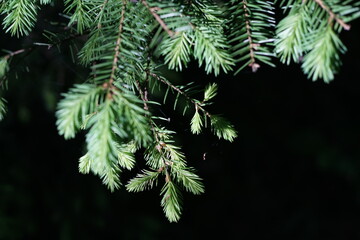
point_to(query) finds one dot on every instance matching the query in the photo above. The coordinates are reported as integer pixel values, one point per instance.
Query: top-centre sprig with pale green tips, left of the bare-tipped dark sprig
(194, 29)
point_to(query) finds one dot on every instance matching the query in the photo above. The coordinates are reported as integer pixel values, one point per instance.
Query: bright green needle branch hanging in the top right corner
(309, 35)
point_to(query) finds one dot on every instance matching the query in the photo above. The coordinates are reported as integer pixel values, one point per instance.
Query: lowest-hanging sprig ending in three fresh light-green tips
(165, 159)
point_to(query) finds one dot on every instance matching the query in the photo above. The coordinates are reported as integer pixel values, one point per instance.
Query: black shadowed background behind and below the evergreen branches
(293, 172)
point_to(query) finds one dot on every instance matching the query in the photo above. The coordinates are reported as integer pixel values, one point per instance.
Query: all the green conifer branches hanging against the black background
(127, 42)
